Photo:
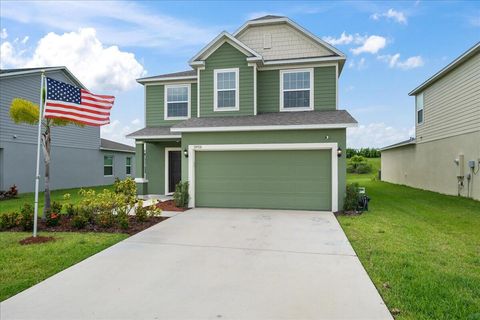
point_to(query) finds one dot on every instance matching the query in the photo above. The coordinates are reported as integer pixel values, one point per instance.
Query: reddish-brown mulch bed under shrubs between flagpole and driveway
(64, 225)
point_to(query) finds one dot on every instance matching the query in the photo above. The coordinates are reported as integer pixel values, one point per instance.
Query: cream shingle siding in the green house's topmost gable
(286, 42)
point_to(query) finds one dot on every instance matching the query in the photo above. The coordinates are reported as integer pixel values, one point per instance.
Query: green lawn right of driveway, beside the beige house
(424, 246)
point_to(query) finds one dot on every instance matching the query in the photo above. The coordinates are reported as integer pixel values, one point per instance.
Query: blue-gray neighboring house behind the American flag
(79, 157)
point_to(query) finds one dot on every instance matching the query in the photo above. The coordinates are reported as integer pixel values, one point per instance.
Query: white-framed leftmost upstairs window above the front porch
(177, 102)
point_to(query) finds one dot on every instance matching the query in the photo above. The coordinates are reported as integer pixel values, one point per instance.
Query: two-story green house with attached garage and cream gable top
(255, 124)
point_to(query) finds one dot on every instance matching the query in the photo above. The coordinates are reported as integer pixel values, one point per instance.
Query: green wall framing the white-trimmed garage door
(290, 136)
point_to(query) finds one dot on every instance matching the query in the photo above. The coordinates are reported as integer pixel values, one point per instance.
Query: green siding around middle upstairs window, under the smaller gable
(226, 56)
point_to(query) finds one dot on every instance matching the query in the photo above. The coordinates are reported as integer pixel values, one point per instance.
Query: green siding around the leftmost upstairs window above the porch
(155, 104)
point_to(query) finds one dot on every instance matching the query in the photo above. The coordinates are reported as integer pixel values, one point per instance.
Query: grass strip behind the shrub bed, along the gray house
(56, 195)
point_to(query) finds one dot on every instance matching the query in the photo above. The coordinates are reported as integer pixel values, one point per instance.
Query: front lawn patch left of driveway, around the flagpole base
(23, 266)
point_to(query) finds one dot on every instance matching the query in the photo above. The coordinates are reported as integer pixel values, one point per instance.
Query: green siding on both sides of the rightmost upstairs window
(324, 90)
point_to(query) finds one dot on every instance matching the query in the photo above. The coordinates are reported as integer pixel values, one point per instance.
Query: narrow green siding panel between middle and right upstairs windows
(268, 91)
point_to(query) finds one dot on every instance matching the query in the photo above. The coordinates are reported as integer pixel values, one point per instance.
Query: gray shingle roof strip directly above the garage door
(332, 117)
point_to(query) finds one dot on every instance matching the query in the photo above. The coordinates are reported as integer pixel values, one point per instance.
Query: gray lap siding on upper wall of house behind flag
(28, 87)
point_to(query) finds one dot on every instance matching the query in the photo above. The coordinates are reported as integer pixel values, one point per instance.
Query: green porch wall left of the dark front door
(155, 165)
